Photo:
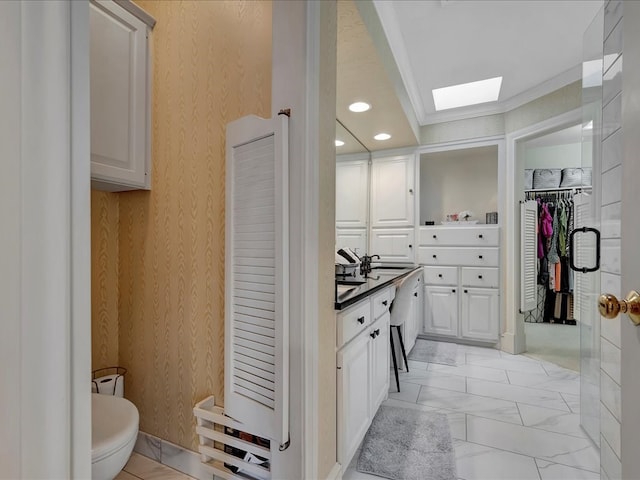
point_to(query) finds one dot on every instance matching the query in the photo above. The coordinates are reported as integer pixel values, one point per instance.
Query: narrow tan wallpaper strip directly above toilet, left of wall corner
(104, 279)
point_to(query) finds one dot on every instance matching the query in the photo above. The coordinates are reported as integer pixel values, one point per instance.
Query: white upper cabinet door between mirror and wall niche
(392, 191)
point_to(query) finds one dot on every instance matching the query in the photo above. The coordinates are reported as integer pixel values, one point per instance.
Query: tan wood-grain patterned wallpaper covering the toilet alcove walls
(212, 65)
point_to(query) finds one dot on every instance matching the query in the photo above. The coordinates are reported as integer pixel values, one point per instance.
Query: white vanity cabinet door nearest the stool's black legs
(379, 361)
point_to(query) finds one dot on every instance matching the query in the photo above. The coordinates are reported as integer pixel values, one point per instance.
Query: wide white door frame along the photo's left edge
(48, 318)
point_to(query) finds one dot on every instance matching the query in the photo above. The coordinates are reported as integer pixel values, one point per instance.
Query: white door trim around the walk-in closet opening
(513, 338)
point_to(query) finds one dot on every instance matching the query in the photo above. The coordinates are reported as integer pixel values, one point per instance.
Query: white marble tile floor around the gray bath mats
(511, 416)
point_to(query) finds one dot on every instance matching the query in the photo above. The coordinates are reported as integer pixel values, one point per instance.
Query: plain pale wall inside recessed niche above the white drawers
(458, 180)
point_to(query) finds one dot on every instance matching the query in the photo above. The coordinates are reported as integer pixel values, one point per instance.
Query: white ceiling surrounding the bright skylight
(535, 45)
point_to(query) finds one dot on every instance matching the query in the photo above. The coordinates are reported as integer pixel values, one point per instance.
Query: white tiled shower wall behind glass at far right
(610, 261)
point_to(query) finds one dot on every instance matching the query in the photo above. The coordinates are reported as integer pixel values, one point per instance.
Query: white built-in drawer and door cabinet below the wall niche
(462, 275)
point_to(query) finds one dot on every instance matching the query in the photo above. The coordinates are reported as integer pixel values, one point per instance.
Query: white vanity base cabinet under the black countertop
(363, 368)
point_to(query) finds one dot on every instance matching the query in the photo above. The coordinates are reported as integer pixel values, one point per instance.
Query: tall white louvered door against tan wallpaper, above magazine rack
(256, 271)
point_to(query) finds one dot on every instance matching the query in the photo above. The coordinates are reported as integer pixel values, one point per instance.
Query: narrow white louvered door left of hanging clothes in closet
(529, 257)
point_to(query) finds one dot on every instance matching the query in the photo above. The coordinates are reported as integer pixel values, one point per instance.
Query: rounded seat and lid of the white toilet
(114, 425)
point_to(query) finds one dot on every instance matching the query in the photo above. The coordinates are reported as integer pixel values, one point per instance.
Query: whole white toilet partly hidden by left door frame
(114, 430)
